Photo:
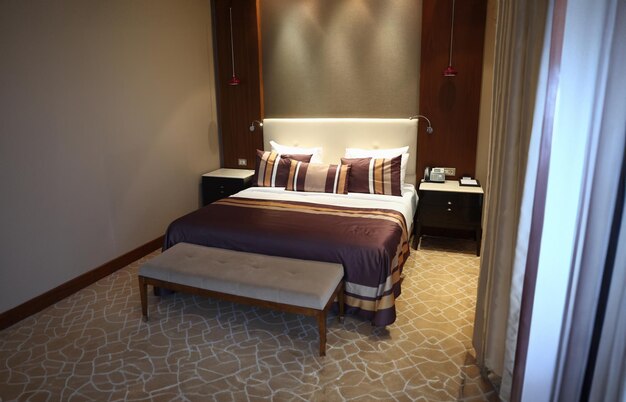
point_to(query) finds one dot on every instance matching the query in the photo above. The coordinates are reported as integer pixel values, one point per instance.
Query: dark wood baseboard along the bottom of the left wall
(72, 286)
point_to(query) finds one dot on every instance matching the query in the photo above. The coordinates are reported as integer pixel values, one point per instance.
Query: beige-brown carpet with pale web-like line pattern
(95, 346)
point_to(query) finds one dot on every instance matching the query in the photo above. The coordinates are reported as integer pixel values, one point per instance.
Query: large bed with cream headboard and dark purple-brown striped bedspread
(367, 233)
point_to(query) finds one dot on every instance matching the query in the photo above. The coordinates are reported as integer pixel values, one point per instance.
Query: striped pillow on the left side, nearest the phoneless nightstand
(272, 168)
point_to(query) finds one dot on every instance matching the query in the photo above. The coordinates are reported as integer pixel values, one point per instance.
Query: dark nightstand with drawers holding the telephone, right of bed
(449, 205)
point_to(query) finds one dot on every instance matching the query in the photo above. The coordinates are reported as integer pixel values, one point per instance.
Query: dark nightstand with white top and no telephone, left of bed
(221, 183)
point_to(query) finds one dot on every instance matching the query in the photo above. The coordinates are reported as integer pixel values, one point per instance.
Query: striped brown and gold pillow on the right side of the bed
(375, 175)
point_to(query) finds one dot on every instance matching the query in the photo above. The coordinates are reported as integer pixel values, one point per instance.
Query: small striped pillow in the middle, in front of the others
(318, 177)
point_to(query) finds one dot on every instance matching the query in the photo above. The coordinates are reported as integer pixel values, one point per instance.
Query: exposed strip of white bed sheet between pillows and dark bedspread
(406, 205)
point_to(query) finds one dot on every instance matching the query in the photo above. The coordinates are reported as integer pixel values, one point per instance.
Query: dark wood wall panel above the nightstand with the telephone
(451, 103)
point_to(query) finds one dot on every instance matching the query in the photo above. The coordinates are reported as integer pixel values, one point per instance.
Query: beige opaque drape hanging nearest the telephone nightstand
(518, 85)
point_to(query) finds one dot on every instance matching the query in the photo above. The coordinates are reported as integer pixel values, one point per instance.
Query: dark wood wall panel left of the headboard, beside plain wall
(238, 105)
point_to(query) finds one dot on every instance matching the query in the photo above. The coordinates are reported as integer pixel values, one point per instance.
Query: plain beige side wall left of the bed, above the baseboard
(107, 118)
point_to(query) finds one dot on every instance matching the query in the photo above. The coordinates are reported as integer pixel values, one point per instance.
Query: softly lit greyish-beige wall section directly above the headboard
(349, 58)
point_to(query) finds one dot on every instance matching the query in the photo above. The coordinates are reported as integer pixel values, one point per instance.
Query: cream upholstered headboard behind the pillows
(335, 135)
